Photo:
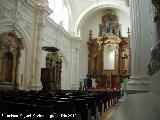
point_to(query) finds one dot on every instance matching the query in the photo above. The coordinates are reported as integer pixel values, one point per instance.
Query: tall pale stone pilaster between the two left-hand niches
(38, 35)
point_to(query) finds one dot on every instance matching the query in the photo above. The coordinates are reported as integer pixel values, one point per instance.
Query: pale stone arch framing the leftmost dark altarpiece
(21, 33)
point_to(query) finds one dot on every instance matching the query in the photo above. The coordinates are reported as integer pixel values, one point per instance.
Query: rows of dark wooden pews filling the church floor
(62, 104)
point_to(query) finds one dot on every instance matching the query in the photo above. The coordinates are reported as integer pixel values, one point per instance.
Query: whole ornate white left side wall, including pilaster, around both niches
(32, 24)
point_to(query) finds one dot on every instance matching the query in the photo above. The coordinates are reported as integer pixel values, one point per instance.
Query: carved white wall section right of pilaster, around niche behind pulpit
(56, 36)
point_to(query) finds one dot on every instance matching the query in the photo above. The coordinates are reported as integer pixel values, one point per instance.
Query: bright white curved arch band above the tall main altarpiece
(86, 12)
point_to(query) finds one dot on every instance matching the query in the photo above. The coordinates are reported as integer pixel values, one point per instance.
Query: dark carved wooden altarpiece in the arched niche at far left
(10, 52)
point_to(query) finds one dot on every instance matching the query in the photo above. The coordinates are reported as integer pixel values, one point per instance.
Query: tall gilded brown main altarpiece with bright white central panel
(109, 53)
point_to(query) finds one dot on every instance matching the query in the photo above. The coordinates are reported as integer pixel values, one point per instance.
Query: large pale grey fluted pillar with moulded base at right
(141, 44)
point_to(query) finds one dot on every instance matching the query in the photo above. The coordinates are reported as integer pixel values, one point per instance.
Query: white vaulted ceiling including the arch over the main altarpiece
(79, 9)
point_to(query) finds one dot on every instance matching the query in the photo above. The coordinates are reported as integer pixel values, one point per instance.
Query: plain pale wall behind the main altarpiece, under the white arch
(92, 23)
